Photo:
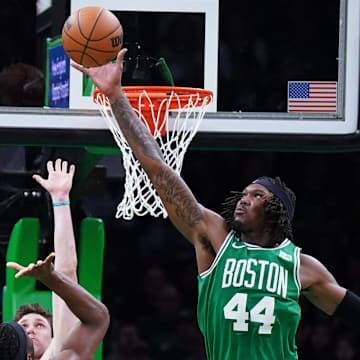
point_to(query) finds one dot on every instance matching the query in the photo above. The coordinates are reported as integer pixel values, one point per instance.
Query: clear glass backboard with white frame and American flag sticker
(251, 55)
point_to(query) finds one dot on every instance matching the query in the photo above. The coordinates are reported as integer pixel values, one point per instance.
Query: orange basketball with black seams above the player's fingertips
(92, 36)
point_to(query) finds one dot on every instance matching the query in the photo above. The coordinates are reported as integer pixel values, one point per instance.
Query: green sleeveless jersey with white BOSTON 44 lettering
(248, 302)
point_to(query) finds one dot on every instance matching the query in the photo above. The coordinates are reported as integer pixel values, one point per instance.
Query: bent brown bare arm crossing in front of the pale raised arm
(85, 336)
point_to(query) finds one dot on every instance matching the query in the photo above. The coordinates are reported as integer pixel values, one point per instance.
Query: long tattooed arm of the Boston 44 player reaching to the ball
(194, 221)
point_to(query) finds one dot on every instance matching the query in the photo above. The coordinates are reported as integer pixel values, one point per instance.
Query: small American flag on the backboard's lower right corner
(312, 96)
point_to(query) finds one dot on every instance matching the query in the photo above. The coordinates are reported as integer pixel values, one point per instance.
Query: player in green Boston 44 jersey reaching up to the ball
(250, 273)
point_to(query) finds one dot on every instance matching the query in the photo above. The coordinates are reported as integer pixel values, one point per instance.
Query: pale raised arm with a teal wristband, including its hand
(58, 184)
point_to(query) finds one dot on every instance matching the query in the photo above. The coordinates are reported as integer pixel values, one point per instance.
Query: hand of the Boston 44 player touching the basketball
(106, 77)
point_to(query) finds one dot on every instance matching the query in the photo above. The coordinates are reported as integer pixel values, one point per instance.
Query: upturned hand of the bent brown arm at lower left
(39, 271)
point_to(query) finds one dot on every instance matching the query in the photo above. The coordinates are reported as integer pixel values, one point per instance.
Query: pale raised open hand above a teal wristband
(59, 181)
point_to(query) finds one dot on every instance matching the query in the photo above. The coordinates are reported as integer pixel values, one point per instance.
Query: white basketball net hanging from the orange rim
(140, 197)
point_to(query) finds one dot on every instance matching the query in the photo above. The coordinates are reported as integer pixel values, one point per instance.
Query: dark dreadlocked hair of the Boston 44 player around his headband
(276, 215)
